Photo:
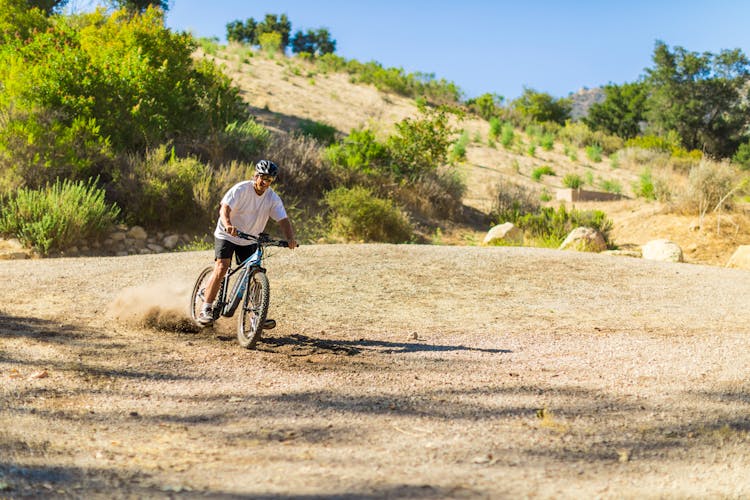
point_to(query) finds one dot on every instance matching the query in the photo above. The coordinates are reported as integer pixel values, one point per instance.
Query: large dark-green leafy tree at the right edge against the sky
(702, 97)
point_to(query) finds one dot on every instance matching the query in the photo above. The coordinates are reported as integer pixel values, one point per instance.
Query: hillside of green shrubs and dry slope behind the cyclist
(161, 124)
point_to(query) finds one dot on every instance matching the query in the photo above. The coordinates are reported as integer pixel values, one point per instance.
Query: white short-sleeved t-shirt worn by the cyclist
(250, 211)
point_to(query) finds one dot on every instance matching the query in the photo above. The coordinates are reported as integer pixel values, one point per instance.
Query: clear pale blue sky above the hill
(497, 46)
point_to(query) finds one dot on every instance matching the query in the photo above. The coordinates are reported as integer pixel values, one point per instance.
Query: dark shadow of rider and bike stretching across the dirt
(313, 345)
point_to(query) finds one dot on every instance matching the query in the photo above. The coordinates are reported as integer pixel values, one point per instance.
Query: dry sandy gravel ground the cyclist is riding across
(396, 372)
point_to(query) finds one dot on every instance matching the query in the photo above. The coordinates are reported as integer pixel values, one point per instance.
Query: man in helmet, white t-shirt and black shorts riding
(247, 206)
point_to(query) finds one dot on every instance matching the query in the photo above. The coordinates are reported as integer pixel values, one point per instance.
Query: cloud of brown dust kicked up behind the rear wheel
(160, 306)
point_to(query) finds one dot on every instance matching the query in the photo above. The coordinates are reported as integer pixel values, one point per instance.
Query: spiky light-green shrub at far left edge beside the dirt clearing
(58, 216)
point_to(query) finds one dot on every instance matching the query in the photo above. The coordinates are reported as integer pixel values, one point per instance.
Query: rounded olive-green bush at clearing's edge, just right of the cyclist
(357, 215)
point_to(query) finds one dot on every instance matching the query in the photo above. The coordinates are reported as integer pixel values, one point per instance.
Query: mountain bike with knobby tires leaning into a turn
(245, 284)
